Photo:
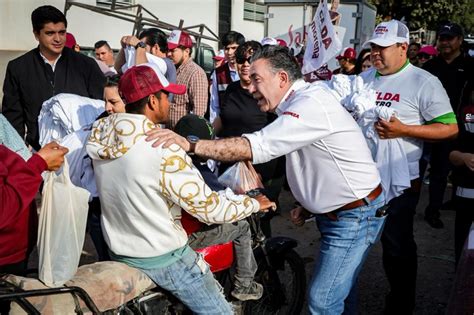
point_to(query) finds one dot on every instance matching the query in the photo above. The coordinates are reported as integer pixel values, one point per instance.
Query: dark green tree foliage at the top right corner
(428, 14)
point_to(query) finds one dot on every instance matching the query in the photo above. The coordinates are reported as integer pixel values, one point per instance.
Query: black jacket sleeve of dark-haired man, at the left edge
(12, 108)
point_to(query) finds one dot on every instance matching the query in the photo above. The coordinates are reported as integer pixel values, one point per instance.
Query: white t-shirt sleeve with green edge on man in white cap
(434, 101)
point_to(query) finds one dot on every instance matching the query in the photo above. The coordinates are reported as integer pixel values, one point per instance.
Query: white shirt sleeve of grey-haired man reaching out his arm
(298, 126)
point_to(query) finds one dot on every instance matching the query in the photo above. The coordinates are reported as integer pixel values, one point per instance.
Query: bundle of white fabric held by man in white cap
(388, 154)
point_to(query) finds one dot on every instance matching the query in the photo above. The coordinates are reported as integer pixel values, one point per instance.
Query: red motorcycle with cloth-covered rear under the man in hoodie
(280, 270)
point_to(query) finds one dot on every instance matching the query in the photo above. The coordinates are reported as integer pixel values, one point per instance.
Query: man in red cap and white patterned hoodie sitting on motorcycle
(143, 190)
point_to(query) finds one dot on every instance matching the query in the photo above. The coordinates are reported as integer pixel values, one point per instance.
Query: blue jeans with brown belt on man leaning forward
(345, 244)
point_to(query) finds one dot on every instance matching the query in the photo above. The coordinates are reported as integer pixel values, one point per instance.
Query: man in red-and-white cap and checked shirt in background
(188, 73)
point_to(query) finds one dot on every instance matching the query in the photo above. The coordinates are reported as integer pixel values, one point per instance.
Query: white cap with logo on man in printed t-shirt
(389, 33)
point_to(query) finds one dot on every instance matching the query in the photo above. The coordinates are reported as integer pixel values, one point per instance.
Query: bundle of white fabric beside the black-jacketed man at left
(67, 119)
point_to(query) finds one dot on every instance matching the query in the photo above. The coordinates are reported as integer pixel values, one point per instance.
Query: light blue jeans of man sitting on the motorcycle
(192, 282)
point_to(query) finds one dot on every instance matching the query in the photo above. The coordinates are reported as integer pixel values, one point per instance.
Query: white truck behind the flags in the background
(289, 20)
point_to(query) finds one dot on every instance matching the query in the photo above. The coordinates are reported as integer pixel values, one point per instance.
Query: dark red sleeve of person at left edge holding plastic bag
(19, 183)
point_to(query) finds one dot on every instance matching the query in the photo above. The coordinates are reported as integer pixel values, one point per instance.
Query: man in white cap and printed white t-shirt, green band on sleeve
(424, 113)
